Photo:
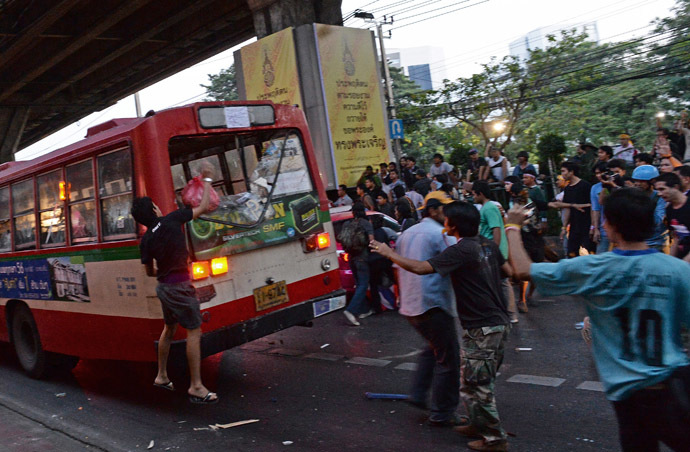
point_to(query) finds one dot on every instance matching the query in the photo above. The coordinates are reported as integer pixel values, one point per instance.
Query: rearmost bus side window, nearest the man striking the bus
(115, 189)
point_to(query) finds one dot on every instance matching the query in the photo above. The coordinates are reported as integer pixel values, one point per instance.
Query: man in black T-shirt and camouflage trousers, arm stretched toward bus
(475, 265)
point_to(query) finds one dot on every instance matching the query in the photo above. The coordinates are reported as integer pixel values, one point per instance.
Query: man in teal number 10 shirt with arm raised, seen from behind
(637, 299)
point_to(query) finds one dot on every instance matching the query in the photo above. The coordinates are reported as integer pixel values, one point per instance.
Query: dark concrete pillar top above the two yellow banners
(271, 16)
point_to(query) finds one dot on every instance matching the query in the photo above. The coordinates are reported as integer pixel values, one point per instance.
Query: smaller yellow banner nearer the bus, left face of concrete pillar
(269, 68)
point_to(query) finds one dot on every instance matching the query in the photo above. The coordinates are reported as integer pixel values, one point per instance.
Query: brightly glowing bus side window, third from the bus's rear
(51, 209)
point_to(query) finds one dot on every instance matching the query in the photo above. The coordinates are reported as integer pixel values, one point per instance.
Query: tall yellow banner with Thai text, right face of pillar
(353, 99)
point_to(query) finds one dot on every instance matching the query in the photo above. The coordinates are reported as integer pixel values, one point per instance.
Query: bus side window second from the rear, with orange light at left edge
(82, 207)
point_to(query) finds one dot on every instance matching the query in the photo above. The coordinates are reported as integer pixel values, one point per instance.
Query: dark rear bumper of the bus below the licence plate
(231, 336)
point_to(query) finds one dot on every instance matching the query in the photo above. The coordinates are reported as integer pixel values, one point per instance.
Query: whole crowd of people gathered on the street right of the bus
(463, 255)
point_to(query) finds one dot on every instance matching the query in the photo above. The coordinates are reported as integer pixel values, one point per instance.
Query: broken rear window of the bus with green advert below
(263, 182)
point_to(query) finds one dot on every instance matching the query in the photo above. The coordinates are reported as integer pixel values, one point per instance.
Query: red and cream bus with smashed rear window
(71, 281)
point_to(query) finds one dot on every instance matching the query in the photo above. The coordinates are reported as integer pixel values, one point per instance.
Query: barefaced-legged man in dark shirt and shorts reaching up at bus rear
(164, 241)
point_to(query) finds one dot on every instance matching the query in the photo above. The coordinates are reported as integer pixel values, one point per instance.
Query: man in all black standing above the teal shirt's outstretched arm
(577, 203)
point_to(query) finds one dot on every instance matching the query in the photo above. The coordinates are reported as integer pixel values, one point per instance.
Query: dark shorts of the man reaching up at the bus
(180, 304)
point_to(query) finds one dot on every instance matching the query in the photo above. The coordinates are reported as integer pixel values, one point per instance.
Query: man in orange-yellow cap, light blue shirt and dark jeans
(428, 303)
